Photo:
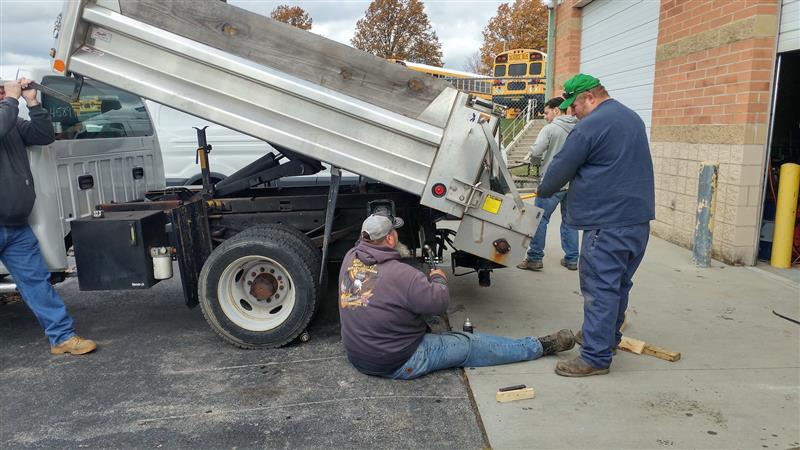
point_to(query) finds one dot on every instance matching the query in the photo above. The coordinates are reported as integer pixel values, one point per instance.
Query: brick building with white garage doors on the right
(703, 74)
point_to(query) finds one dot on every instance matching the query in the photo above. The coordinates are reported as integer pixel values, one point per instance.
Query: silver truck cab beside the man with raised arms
(106, 150)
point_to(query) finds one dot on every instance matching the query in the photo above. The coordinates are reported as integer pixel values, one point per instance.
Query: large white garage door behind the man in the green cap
(618, 46)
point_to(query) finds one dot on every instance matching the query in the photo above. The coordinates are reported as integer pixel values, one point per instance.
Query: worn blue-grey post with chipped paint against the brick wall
(706, 204)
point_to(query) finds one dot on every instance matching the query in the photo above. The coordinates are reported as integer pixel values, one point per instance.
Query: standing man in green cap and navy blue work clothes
(606, 159)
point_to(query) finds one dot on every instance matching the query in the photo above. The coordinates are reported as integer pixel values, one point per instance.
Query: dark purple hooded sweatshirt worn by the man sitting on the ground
(381, 304)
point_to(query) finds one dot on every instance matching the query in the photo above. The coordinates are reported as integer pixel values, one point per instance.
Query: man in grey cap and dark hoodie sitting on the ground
(382, 302)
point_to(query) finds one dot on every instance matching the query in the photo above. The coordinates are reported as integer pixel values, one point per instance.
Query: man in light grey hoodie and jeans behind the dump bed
(548, 143)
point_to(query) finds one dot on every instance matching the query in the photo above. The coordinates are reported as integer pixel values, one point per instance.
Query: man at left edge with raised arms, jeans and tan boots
(19, 249)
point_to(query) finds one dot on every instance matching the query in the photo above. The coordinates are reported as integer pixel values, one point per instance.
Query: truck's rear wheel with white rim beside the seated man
(257, 290)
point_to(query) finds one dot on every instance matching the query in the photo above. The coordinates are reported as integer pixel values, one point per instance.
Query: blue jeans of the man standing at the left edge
(19, 252)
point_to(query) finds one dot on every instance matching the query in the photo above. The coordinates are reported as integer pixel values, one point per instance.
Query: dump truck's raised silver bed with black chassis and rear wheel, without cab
(251, 251)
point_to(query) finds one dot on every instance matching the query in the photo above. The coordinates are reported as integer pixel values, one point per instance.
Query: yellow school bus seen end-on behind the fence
(519, 76)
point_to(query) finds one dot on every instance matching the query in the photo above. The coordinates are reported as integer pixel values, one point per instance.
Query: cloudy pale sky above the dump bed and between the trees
(26, 26)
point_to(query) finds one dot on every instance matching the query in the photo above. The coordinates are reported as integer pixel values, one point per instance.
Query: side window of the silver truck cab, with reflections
(101, 111)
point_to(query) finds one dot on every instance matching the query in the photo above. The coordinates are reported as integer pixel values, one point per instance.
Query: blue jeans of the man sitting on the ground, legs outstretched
(455, 349)
